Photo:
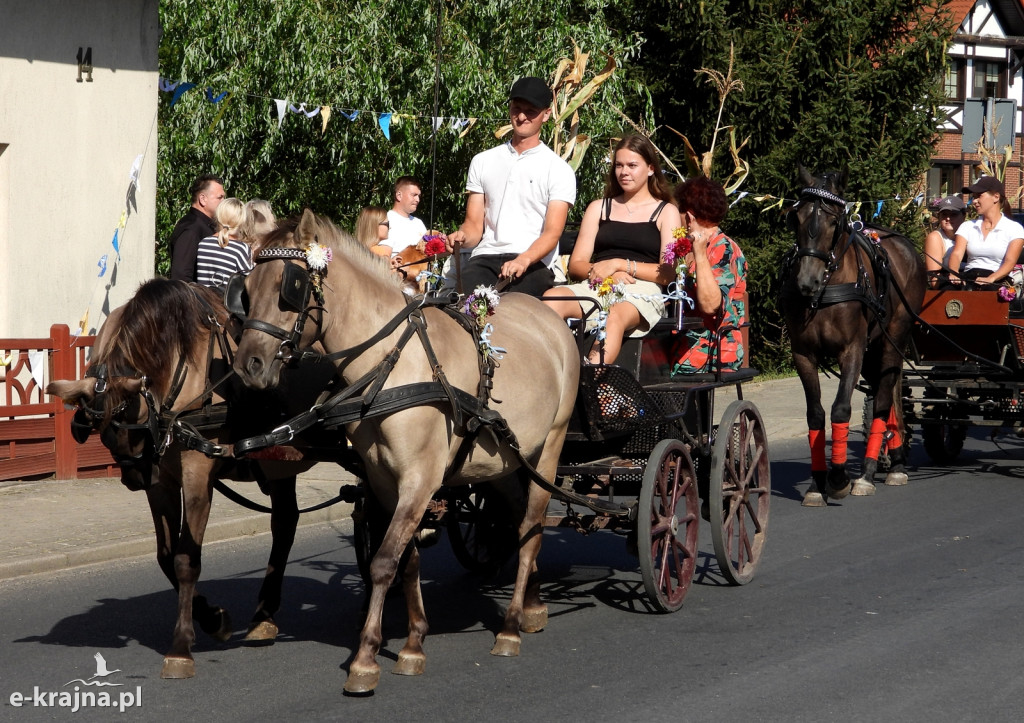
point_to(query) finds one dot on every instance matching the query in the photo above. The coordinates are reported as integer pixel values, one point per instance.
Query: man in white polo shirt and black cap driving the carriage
(520, 197)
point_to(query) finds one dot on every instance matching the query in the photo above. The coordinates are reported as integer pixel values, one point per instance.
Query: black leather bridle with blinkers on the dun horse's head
(297, 287)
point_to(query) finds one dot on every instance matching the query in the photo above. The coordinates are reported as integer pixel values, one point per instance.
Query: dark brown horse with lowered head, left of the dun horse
(152, 360)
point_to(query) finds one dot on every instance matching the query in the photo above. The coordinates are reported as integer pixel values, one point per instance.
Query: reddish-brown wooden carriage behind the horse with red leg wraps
(965, 368)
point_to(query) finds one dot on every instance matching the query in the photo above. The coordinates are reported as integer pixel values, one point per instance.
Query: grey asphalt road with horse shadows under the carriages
(906, 607)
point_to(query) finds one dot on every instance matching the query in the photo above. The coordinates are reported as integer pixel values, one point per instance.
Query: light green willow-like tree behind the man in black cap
(375, 57)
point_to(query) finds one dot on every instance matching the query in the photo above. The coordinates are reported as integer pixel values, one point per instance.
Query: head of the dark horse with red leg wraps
(819, 220)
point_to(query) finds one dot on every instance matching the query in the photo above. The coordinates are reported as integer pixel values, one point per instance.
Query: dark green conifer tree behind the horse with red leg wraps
(832, 86)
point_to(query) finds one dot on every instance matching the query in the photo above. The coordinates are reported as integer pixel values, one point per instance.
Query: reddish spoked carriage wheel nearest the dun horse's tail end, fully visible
(667, 525)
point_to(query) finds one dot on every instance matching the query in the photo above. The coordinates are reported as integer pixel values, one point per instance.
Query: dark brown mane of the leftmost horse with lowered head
(164, 321)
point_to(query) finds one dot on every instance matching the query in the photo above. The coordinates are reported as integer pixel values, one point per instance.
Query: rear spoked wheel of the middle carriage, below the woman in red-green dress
(740, 492)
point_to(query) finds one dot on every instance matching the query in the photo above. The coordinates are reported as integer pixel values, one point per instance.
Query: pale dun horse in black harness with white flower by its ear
(364, 321)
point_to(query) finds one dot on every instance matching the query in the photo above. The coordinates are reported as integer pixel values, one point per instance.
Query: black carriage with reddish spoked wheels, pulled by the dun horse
(645, 458)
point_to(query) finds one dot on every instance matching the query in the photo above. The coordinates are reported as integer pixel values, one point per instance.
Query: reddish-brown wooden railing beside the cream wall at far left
(35, 432)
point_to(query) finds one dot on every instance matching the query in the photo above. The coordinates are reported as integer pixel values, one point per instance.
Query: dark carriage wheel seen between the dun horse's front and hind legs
(482, 537)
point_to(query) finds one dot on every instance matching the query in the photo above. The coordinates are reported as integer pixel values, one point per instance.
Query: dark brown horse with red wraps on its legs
(849, 294)
